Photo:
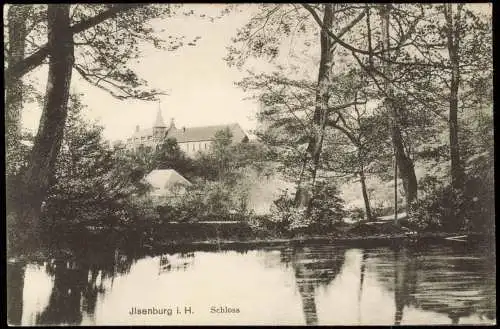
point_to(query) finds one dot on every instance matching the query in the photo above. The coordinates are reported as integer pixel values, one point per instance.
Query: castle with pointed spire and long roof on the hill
(191, 140)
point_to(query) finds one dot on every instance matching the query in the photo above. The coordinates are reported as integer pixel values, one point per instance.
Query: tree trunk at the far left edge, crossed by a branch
(16, 20)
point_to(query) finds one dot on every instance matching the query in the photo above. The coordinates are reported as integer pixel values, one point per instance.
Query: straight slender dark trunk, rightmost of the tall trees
(453, 43)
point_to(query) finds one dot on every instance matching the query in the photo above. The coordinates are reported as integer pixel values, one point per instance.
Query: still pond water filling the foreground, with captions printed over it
(303, 284)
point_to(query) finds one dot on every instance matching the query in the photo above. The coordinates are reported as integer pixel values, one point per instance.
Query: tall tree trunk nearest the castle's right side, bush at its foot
(305, 193)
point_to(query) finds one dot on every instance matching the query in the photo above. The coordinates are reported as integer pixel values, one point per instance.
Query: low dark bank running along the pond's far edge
(153, 237)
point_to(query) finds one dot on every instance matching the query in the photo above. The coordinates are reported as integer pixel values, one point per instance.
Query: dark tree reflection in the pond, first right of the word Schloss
(313, 266)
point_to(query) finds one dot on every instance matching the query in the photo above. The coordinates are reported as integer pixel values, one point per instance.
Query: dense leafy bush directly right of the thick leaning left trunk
(92, 182)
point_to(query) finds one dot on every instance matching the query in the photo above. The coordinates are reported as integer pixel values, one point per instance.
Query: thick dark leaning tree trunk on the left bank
(50, 132)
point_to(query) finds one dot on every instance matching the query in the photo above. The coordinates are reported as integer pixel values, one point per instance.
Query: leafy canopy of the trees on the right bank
(399, 53)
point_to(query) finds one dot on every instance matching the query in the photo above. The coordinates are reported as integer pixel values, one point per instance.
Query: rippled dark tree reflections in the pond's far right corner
(427, 279)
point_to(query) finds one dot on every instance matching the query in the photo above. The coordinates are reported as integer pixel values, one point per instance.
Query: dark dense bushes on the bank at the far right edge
(473, 207)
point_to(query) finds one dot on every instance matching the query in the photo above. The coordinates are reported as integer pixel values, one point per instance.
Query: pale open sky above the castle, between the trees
(199, 84)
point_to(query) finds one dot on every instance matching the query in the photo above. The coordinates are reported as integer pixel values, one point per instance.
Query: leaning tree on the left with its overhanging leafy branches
(89, 39)
